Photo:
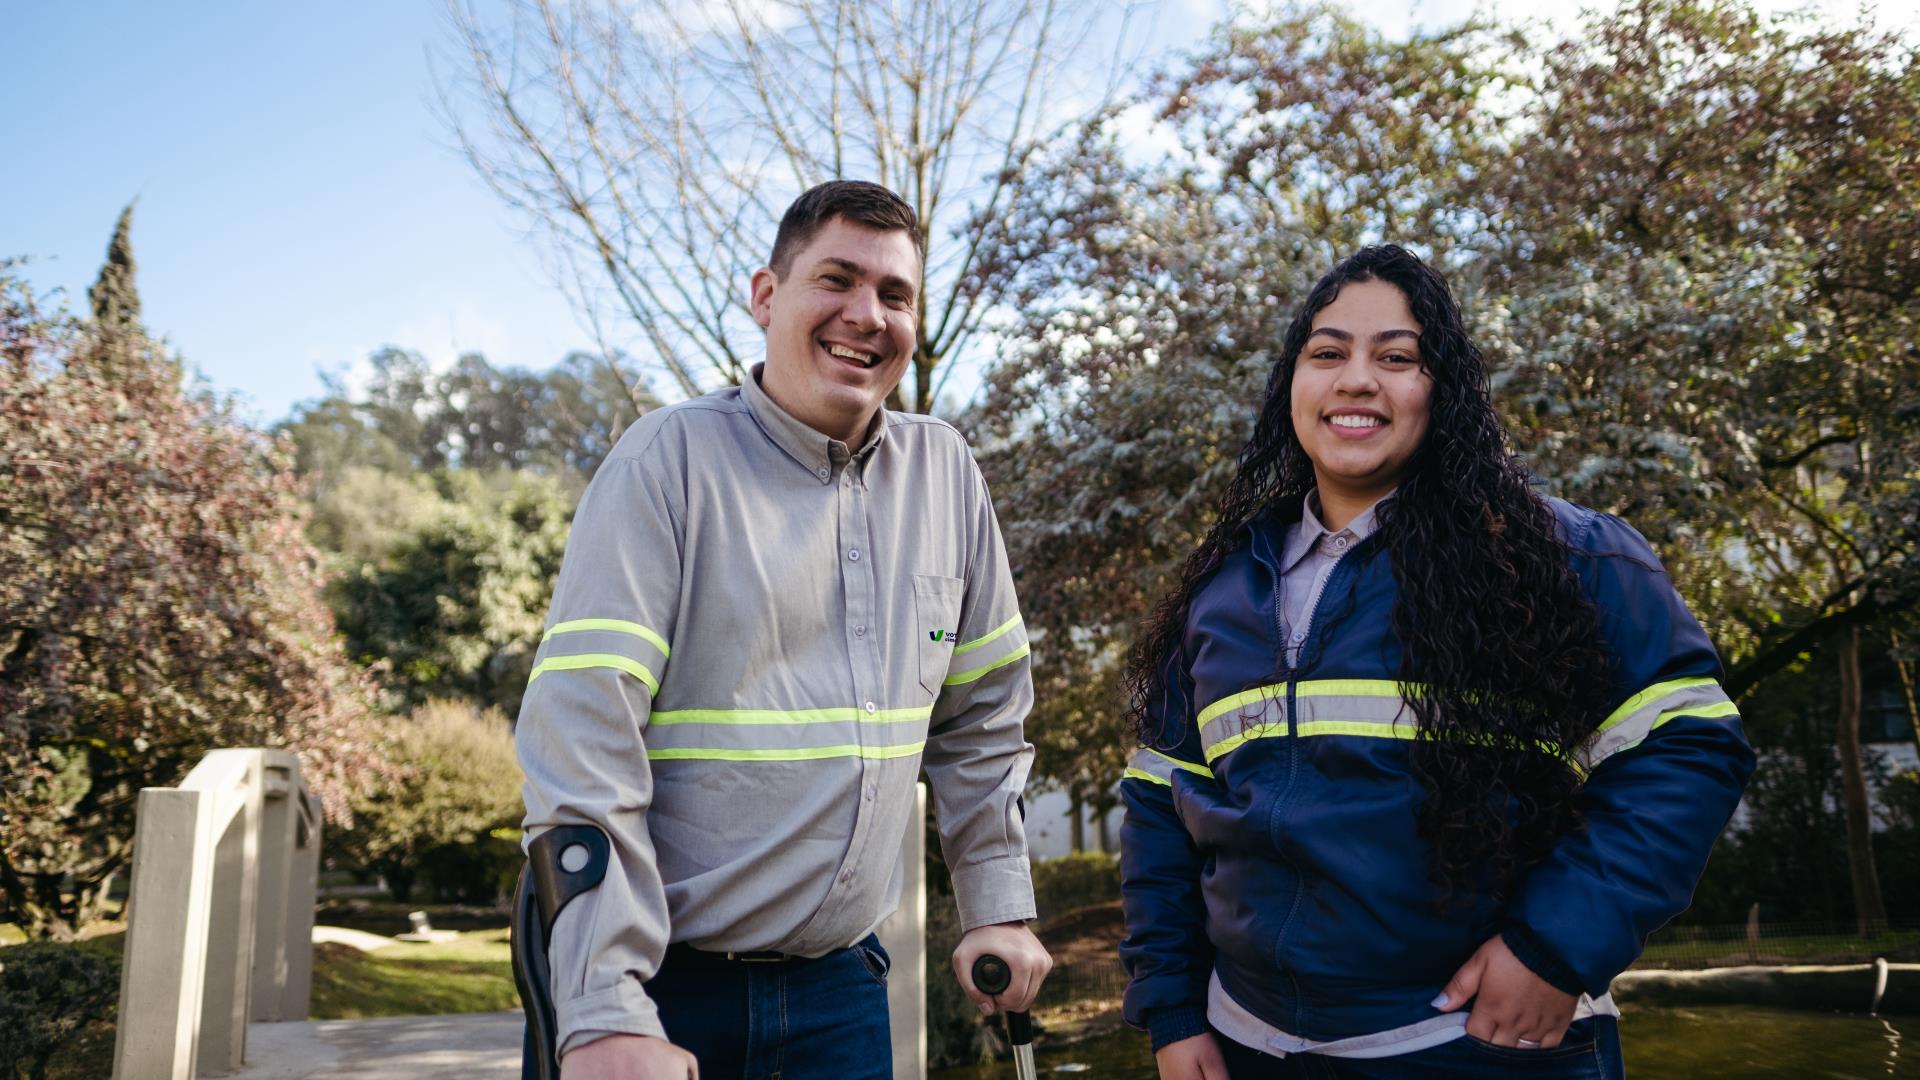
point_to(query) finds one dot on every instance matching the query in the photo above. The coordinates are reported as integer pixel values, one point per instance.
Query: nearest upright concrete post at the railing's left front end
(162, 977)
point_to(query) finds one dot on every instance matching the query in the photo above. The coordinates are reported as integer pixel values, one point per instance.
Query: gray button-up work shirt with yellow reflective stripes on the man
(757, 641)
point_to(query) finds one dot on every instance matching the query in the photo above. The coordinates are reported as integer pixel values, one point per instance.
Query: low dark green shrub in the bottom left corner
(51, 994)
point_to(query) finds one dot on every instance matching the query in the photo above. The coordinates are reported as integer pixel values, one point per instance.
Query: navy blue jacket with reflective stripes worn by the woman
(1278, 839)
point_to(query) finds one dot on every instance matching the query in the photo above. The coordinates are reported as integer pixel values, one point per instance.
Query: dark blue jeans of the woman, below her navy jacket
(1591, 1052)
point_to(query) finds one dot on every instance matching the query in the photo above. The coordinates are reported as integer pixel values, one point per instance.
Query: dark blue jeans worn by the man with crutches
(784, 1019)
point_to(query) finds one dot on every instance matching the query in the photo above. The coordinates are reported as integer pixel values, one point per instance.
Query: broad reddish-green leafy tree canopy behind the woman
(1685, 237)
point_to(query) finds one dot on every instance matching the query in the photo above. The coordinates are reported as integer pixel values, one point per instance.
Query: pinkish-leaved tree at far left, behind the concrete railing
(156, 599)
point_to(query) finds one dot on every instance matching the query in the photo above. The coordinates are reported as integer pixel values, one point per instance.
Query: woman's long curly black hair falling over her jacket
(1502, 660)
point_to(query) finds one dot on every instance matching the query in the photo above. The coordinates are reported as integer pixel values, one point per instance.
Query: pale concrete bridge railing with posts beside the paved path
(220, 916)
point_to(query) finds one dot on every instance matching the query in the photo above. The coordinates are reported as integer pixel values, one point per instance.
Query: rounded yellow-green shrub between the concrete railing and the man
(452, 818)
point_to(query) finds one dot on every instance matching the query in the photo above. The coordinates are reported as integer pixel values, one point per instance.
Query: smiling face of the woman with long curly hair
(1360, 393)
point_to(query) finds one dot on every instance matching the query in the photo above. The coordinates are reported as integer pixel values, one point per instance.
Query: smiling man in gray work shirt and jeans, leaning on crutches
(779, 604)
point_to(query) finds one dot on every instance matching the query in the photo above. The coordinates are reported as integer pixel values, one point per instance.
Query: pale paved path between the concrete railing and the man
(479, 1046)
